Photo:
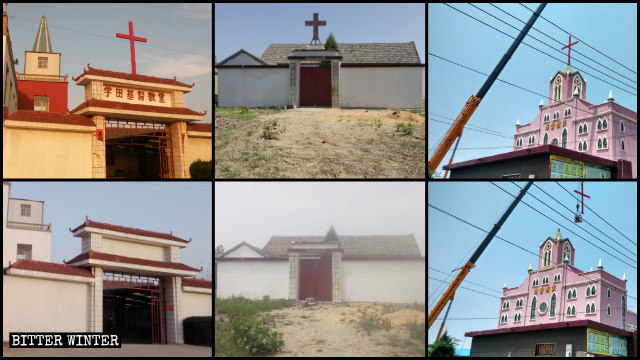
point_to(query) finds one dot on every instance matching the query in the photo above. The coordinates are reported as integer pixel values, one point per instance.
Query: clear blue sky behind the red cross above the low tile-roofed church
(253, 27)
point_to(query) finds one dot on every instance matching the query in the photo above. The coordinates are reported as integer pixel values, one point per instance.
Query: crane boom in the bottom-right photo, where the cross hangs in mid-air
(451, 290)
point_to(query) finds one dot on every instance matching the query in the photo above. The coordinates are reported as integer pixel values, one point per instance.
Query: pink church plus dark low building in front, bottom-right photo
(560, 309)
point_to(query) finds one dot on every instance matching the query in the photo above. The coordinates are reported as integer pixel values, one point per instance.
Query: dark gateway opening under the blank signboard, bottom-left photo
(132, 307)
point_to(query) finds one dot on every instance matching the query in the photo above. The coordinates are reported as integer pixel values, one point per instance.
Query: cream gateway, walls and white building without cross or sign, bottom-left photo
(124, 280)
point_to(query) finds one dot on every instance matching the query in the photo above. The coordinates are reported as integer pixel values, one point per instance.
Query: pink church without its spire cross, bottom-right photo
(558, 292)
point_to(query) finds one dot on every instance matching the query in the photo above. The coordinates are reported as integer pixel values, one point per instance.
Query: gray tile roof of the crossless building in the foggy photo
(354, 246)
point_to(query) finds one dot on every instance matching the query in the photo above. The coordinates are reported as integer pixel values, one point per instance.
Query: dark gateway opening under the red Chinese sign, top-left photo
(138, 150)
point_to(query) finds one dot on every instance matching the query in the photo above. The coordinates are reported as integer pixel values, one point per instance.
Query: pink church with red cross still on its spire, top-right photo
(607, 130)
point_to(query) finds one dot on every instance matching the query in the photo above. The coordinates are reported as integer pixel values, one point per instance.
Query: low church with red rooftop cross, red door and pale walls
(355, 75)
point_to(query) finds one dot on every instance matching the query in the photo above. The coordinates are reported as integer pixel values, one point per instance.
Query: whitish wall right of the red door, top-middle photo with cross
(383, 87)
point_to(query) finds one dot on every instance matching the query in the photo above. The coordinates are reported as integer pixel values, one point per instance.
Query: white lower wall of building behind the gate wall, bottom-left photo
(40, 242)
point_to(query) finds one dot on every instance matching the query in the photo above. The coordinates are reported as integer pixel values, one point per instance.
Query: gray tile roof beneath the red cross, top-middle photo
(366, 53)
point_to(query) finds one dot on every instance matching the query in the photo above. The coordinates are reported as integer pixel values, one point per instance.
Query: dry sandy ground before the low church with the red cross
(322, 143)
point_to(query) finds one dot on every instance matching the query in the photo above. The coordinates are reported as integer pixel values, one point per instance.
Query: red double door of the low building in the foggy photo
(315, 279)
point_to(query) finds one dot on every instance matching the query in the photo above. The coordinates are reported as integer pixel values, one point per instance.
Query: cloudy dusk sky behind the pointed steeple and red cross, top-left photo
(179, 38)
